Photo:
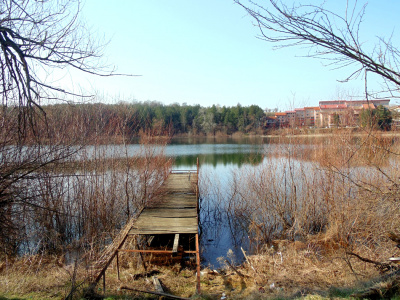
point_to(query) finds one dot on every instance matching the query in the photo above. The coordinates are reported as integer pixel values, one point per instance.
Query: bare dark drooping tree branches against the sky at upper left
(37, 37)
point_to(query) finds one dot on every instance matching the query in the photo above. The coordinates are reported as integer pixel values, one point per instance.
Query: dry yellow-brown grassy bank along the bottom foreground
(288, 270)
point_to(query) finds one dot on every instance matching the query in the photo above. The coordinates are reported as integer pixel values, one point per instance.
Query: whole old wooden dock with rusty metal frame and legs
(174, 213)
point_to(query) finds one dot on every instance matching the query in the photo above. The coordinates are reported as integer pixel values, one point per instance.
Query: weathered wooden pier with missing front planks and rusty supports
(176, 213)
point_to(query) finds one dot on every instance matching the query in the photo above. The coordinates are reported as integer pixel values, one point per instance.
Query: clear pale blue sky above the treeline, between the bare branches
(206, 52)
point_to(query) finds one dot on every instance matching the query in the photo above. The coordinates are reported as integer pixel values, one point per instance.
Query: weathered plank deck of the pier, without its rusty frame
(176, 212)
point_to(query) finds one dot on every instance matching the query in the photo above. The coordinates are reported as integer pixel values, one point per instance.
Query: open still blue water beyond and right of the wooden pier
(219, 160)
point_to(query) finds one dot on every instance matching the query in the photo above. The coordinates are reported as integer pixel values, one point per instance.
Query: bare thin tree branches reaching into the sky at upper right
(329, 36)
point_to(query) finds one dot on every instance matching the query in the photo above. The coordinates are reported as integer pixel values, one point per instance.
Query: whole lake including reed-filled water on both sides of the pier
(252, 190)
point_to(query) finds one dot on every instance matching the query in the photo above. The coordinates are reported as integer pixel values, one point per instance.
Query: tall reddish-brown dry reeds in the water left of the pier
(65, 191)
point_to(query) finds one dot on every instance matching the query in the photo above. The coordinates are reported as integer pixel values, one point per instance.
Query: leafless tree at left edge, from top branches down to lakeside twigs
(36, 38)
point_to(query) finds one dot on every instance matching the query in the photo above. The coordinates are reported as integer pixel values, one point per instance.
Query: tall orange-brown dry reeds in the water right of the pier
(342, 188)
